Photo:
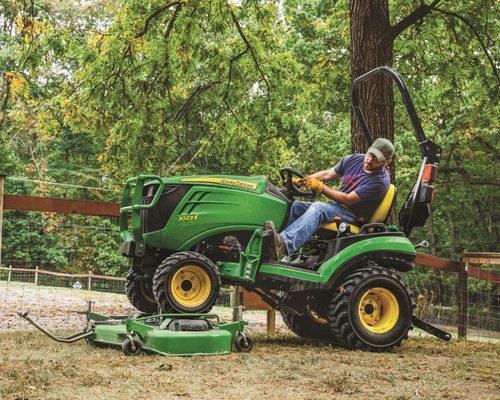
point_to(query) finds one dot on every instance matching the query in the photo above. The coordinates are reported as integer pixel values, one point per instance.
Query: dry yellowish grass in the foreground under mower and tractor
(33, 367)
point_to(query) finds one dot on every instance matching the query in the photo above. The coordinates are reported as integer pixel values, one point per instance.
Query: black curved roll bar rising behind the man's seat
(428, 148)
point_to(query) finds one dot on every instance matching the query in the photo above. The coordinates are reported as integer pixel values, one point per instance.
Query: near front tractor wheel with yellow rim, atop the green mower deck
(206, 278)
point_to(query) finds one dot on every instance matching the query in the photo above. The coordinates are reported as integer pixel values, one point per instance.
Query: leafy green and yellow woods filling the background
(94, 92)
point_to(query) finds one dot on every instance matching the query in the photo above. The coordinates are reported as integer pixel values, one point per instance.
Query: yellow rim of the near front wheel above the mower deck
(190, 286)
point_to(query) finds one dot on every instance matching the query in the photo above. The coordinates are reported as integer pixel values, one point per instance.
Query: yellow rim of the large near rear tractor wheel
(378, 310)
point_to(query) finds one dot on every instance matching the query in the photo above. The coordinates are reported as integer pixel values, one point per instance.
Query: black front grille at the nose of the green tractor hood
(154, 219)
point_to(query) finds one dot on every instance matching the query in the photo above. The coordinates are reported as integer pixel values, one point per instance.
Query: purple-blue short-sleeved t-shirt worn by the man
(370, 187)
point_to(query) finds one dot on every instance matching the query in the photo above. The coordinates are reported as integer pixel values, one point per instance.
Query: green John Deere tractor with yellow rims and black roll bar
(188, 235)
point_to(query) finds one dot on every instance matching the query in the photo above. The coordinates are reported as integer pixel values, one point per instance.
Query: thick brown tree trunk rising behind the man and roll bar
(371, 46)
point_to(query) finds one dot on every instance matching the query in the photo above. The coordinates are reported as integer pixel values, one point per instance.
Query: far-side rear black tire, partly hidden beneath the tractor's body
(309, 325)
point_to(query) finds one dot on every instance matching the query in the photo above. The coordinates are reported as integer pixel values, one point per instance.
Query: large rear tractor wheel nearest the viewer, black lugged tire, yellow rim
(355, 324)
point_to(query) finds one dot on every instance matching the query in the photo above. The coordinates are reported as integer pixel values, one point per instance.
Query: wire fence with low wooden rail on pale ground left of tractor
(55, 298)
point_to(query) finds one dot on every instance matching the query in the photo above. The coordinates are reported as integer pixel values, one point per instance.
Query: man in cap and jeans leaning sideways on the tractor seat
(365, 181)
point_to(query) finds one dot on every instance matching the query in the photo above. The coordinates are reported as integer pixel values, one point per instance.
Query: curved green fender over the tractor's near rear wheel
(395, 252)
